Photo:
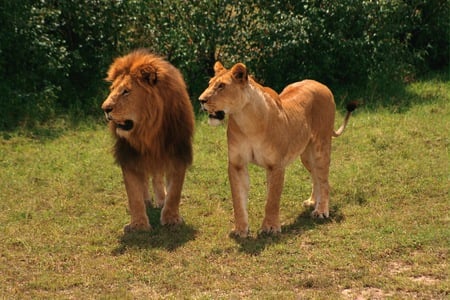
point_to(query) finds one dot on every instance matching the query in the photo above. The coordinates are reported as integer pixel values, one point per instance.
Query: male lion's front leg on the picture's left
(135, 184)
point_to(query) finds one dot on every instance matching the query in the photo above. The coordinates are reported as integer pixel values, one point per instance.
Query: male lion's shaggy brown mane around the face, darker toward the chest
(166, 128)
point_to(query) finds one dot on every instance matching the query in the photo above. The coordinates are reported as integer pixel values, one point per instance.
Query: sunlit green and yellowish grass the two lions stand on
(63, 206)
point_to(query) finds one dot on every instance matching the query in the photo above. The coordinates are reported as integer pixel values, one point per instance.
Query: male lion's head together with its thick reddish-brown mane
(148, 105)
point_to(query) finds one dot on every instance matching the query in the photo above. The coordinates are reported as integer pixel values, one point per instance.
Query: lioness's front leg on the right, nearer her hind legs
(275, 181)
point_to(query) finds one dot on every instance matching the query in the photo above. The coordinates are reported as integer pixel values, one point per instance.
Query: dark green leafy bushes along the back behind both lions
(54, 54)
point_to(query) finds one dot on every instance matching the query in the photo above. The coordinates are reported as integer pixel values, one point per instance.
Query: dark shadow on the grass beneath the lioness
(254, 245)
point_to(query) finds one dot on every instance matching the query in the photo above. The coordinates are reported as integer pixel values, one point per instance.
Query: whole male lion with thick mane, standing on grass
(151, 117)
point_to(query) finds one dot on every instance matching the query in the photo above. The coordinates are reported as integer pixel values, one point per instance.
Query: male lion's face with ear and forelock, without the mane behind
(132, 94)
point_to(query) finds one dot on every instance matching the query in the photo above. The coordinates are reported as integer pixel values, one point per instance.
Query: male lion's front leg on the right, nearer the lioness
(170, 214)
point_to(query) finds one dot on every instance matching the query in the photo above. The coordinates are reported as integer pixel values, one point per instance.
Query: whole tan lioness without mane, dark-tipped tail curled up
(271, 131)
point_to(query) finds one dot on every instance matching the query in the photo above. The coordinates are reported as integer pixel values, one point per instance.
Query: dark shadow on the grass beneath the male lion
(164, 237)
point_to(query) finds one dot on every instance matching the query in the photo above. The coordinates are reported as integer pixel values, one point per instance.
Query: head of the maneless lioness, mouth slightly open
(224, 93)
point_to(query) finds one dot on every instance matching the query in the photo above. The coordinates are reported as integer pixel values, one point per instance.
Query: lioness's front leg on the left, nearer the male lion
(239, 182)
